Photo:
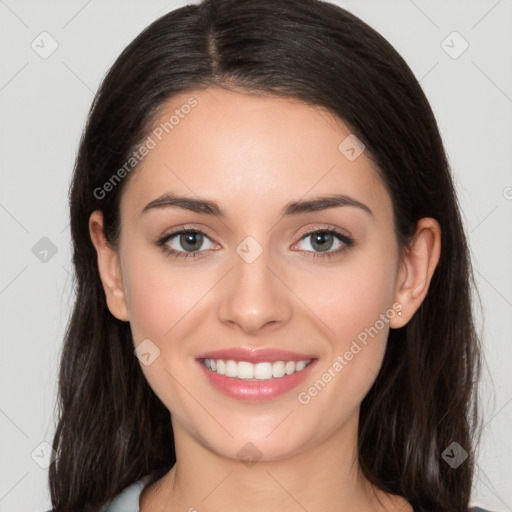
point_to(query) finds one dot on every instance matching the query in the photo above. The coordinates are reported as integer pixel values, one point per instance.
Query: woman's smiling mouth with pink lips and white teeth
(249, 375)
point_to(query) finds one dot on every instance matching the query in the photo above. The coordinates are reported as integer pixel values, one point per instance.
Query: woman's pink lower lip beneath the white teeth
(253, 390)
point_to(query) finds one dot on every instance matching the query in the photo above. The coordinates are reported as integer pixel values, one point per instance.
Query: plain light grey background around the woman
(43, 109)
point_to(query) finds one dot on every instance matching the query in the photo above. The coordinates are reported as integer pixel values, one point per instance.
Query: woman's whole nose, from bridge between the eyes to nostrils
(254, 296)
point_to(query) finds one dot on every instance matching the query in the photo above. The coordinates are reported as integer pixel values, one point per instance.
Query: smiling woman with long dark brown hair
(273, 304)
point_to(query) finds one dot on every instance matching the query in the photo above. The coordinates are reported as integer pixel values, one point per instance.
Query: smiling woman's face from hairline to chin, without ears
(255, 277)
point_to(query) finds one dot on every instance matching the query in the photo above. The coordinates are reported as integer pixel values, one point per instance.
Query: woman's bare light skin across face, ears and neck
(252, 155)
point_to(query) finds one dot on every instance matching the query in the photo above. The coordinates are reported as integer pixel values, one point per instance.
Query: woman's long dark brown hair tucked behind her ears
(112, 429)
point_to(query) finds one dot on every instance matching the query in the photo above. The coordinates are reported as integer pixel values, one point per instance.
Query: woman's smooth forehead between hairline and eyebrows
(249, 153)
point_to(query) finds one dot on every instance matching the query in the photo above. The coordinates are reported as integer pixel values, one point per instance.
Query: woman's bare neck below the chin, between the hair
(325, 476)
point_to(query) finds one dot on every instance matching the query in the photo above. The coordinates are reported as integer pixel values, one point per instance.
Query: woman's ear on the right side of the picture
(418, 263)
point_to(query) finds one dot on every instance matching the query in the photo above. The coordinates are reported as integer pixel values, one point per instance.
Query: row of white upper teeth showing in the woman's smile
(260, 371)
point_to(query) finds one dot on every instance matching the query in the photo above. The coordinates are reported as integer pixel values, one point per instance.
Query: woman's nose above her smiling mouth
(254, 297)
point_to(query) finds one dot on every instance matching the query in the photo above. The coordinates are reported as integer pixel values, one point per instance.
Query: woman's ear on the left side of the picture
(109, 268)
